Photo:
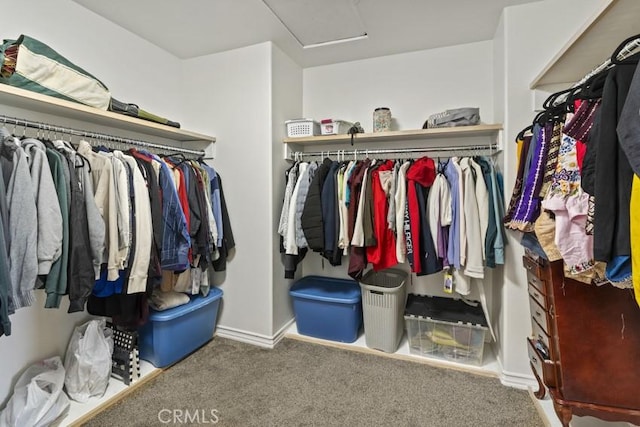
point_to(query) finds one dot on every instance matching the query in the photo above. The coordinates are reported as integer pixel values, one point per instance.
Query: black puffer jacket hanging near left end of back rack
(312, 223)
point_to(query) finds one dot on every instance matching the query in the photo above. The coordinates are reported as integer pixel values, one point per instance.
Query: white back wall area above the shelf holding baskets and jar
(413, 85)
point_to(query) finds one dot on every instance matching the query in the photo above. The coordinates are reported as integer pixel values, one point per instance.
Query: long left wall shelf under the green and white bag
(45, 104)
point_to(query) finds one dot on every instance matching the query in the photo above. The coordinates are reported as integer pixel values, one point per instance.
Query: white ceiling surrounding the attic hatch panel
(190, 28)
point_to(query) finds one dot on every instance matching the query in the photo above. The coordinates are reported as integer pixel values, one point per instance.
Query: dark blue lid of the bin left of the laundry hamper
(327, 289)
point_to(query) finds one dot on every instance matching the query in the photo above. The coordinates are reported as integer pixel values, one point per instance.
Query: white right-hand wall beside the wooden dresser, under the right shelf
(527, 45)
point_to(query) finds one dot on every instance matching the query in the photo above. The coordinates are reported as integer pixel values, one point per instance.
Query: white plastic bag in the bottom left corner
(38, 399)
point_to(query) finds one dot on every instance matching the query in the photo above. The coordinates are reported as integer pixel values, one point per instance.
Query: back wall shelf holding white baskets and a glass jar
(401, 135)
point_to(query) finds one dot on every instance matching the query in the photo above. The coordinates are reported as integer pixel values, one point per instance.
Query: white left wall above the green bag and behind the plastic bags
(135, 71)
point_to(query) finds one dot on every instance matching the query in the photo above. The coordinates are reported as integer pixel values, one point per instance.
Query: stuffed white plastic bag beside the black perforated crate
(88, 361)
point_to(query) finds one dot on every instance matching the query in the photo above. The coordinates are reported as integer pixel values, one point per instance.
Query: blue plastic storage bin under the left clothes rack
(172, 334)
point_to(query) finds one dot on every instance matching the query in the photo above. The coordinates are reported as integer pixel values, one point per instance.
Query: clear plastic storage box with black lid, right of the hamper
(446, 328)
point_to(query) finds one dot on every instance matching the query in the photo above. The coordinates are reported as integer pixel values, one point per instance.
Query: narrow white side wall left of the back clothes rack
(286, 103)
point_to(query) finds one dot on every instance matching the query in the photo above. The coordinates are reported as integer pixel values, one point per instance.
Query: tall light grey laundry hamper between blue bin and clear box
(384, 296)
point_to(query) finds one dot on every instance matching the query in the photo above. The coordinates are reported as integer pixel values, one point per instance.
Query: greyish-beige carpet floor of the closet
(228, 383)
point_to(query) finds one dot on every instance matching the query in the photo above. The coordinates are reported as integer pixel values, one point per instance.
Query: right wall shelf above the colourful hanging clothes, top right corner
(615, 21)
